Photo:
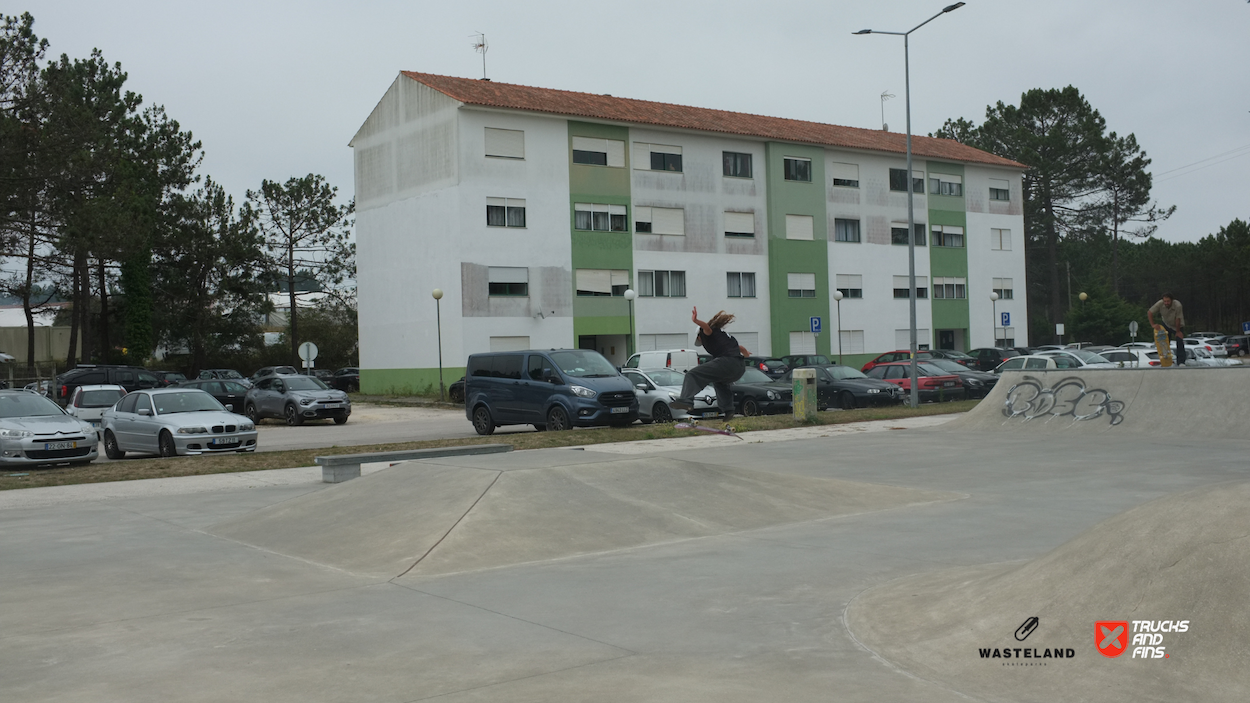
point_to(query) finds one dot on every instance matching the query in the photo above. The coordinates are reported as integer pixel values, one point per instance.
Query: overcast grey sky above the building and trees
(277, 89)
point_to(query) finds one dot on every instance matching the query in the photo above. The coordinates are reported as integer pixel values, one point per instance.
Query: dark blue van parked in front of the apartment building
(553, 390)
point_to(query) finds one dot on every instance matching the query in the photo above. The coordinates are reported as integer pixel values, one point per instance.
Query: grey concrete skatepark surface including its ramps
(786, 585)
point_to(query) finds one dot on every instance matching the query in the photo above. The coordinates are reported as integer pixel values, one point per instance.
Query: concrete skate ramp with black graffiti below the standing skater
(1187, 403)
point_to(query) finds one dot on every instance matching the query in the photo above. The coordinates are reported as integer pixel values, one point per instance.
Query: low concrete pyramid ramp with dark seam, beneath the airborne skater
(423, 518)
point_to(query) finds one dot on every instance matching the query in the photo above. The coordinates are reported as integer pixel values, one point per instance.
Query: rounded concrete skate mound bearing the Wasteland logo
(1186, 557)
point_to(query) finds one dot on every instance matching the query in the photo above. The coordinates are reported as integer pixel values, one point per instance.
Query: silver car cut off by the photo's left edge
(34, 431)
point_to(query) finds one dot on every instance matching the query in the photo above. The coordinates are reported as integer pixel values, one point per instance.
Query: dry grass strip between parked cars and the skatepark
(134, 470)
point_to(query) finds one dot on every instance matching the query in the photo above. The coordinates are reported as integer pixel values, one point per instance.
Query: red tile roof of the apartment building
(492, 94)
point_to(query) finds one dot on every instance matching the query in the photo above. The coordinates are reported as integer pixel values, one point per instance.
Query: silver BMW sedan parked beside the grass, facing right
(173, 422)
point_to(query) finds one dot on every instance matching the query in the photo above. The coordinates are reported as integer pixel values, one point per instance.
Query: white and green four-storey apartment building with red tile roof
(536, 210)
